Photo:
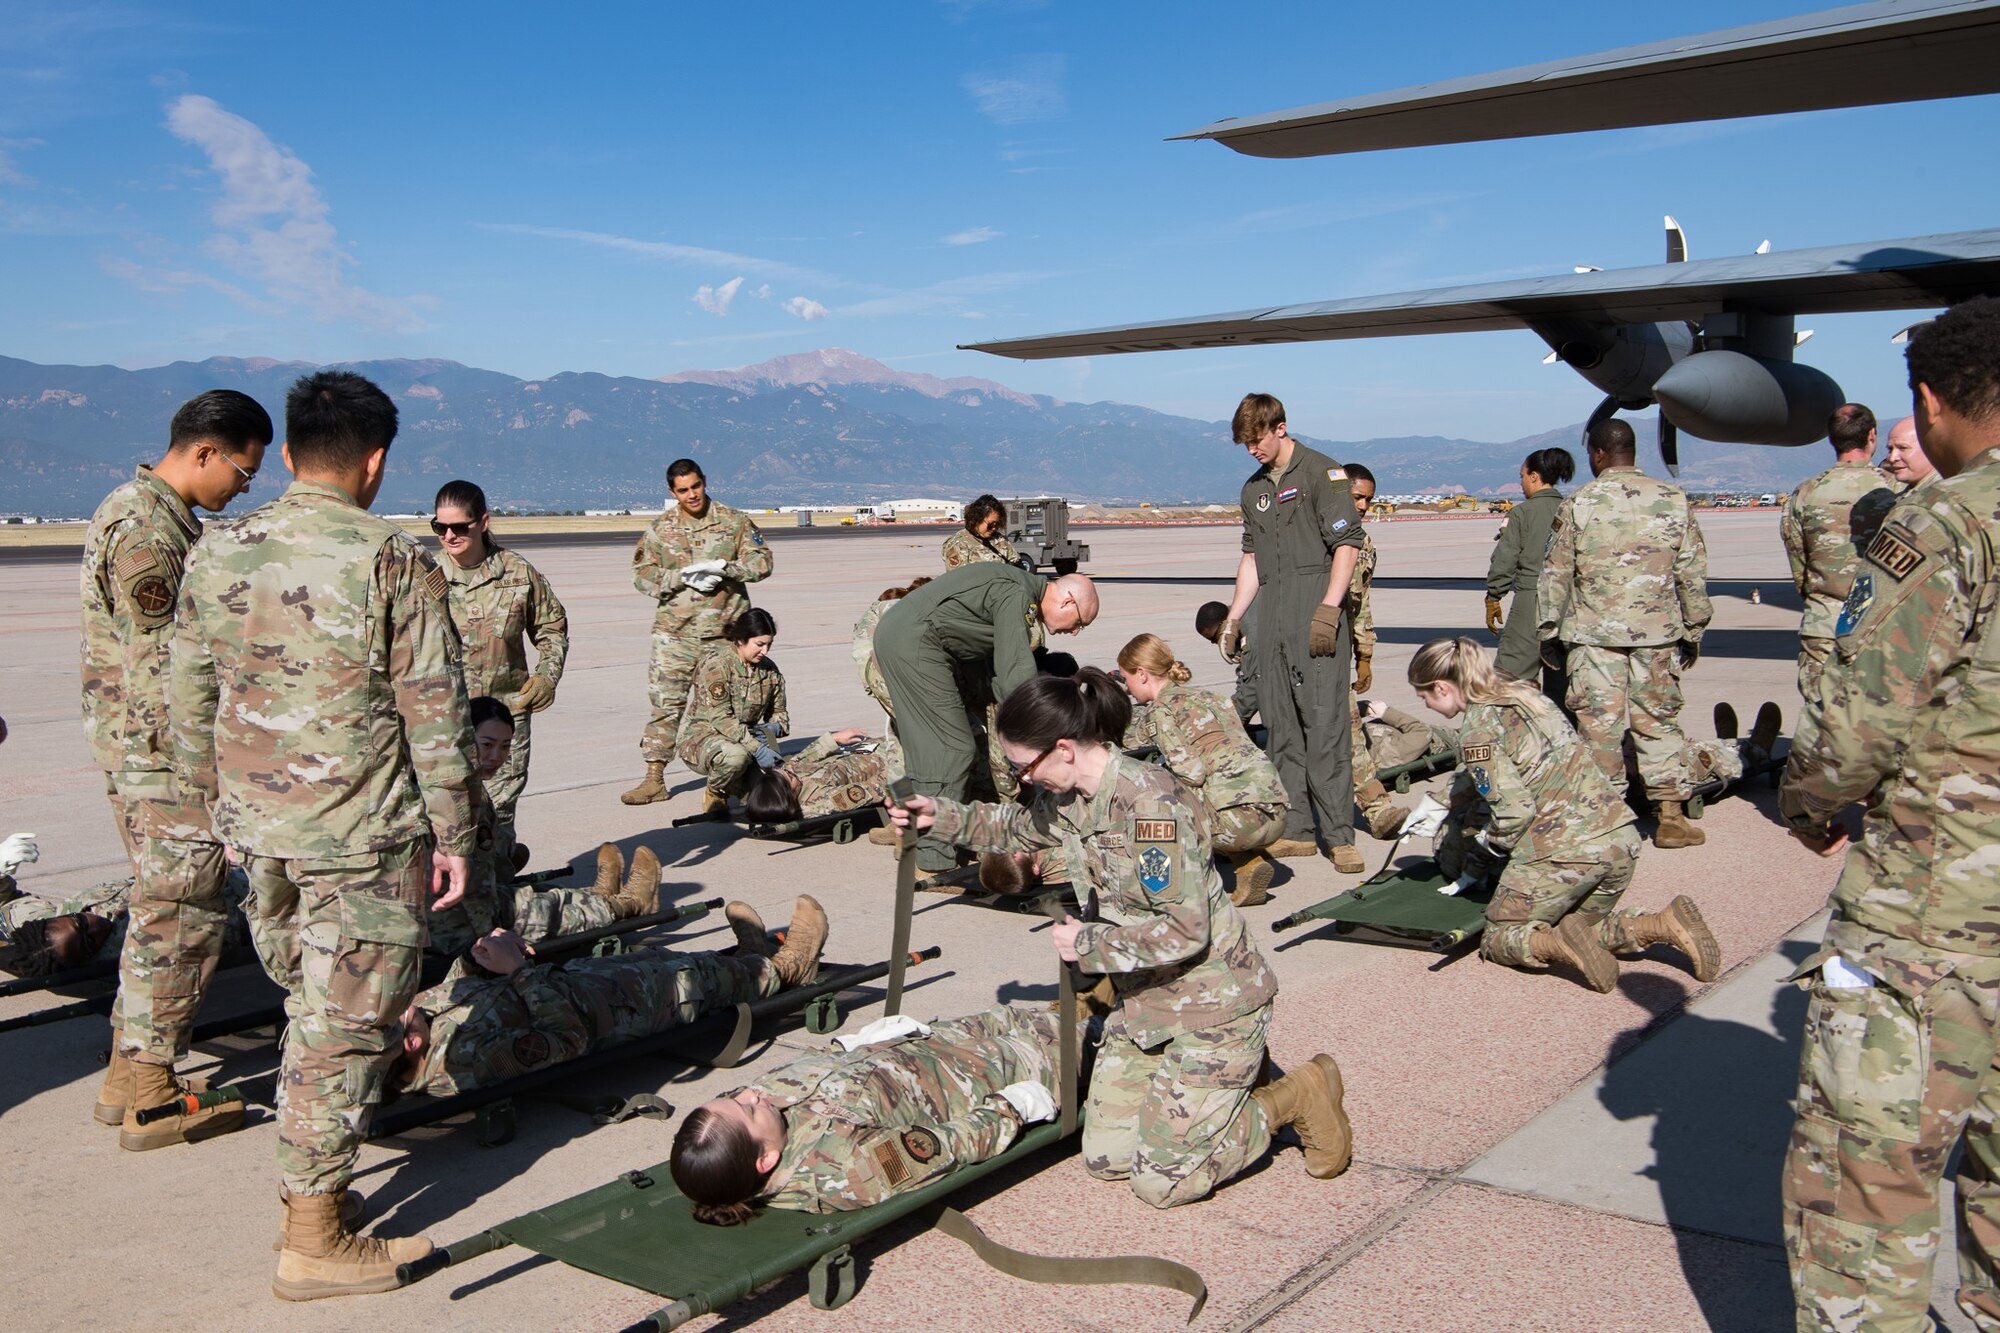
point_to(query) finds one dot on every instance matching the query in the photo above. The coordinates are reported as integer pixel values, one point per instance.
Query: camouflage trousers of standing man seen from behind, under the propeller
(1639, 690)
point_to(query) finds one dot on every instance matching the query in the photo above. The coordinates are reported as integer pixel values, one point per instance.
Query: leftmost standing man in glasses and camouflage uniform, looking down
(135, 553)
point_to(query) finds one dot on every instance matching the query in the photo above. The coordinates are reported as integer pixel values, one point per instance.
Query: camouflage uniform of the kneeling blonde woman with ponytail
(1563, 828)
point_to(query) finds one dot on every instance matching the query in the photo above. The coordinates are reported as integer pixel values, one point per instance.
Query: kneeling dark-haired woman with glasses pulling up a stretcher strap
(1175, 1102)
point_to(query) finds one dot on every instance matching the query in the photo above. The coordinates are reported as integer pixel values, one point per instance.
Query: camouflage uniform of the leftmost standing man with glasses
(135, 555)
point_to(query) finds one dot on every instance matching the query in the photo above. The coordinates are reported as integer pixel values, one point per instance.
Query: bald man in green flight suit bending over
(987, 619)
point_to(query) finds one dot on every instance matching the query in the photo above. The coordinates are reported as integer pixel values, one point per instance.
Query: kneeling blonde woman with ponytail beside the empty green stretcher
(1531, 800)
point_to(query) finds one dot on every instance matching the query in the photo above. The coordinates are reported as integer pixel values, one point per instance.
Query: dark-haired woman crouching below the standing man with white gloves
(737, 712)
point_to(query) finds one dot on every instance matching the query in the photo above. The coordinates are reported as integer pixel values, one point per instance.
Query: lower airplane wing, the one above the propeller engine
(1889, 275)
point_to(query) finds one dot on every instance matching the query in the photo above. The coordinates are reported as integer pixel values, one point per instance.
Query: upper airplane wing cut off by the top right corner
(1893, 51)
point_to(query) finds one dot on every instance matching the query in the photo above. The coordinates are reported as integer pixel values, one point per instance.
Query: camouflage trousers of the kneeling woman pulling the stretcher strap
(1177, 1120)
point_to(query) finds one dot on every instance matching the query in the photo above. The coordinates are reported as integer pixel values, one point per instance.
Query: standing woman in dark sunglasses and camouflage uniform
(501, 605)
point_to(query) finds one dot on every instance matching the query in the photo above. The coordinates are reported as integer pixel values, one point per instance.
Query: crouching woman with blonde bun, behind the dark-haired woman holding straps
(1207, 748)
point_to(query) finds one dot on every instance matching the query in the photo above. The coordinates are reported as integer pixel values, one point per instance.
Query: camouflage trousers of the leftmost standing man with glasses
(173, 934)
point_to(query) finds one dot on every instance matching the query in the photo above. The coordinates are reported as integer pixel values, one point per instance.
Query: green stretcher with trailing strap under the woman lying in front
(641, 1232)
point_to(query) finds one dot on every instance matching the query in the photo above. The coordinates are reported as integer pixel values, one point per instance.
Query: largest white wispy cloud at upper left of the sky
(275, 225)
